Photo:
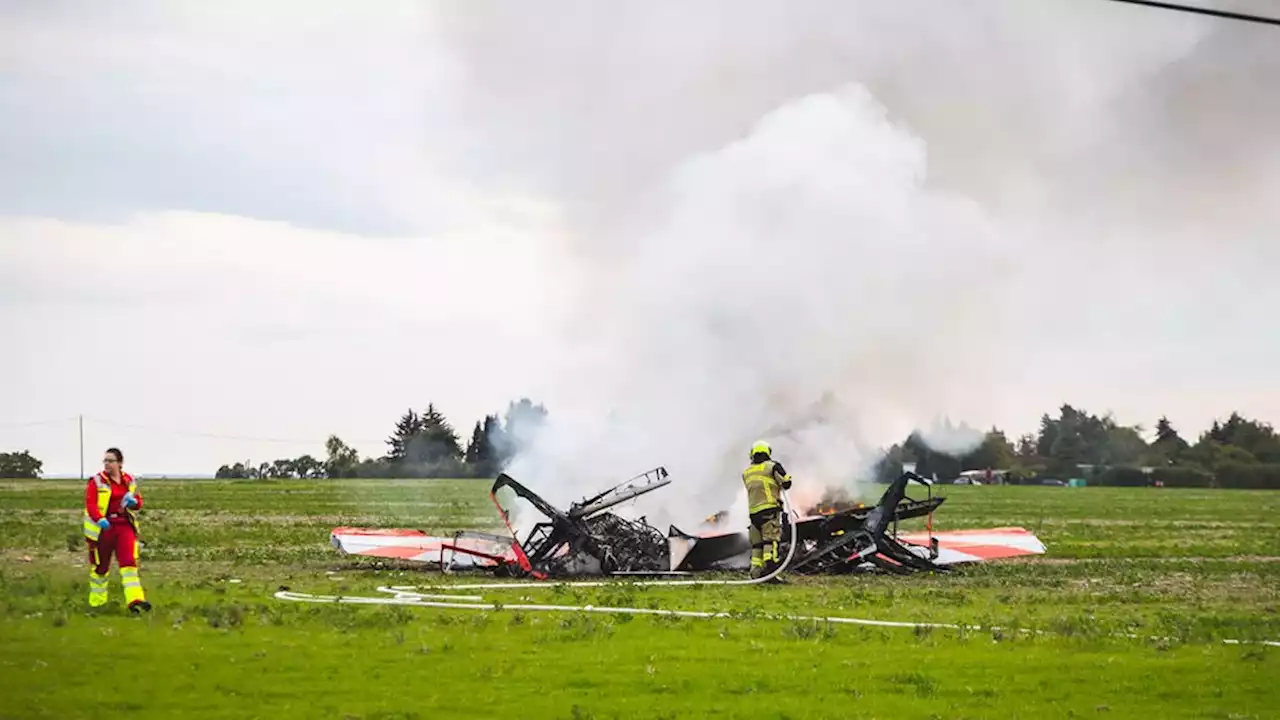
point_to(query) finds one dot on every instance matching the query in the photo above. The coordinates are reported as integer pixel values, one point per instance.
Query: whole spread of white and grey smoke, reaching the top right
(829, 226)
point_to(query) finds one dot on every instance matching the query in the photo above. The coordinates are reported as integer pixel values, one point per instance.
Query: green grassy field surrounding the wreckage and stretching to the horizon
(1190, 567)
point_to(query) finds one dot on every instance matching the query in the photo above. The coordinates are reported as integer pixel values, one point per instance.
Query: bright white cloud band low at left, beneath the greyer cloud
(203, 323)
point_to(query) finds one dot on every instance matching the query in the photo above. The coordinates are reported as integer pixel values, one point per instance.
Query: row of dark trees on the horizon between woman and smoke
(422, 445)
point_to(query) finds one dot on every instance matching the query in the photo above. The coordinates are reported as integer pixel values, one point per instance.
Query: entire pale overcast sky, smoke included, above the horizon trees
(273, 222)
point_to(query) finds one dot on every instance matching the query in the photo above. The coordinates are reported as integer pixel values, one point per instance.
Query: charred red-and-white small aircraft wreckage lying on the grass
(589, 540)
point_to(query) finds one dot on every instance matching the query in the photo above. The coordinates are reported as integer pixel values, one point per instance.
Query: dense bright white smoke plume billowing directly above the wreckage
(783, 277)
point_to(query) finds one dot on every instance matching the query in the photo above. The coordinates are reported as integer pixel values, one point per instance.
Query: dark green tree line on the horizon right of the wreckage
(1077, 444)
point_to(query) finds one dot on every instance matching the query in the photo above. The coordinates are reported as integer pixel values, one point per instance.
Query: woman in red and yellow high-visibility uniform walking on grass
(112, 500)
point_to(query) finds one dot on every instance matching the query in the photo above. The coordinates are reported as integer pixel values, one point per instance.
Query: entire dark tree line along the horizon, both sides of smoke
(1073, 444)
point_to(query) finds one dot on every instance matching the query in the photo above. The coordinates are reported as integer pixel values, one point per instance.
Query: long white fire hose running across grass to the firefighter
(445, 598)
